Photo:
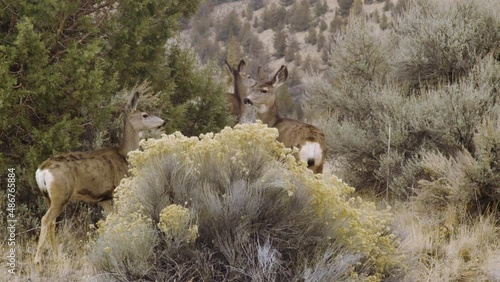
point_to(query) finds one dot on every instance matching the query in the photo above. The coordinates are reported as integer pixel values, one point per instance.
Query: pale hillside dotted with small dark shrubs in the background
(275, 32)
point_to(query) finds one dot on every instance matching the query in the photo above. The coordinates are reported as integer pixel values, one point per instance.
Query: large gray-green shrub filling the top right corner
(442, 42)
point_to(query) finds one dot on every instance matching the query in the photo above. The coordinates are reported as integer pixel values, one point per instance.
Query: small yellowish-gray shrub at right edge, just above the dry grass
(465, 184)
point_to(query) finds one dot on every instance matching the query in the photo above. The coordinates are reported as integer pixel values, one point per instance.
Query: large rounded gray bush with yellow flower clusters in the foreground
(237, 206)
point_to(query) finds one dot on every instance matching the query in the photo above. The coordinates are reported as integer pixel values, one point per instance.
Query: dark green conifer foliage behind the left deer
(63, 61)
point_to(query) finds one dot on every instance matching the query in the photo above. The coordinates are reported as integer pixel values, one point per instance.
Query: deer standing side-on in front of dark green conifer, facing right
(90, 176)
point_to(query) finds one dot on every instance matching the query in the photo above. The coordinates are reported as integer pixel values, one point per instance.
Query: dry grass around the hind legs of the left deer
(69, 264)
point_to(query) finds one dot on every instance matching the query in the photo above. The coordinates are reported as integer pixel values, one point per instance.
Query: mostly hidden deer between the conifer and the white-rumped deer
(241, 82)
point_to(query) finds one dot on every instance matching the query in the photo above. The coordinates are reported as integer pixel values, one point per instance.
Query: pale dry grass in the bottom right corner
(435, 253)
